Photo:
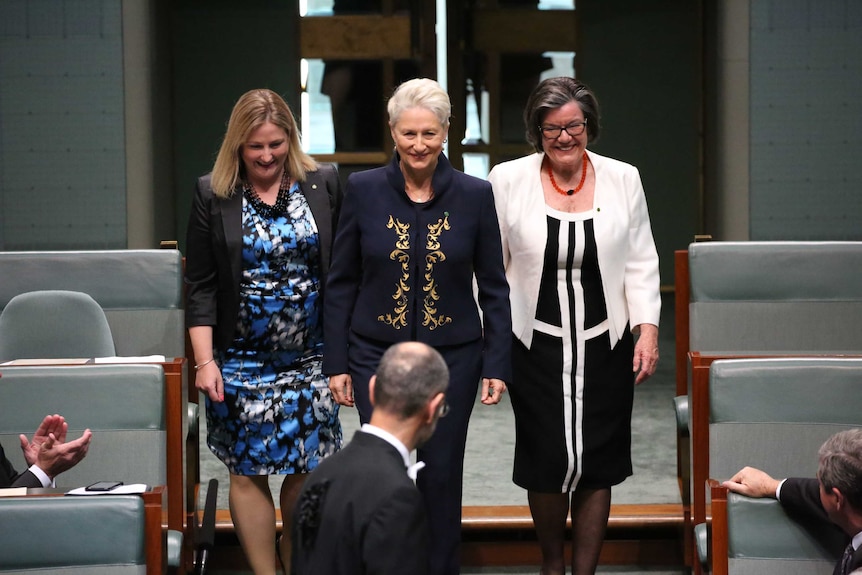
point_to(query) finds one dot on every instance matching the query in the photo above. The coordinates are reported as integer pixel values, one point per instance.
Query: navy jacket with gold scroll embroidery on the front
(403, 271)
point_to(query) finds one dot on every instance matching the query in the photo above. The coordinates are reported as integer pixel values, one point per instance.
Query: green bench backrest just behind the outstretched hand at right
(775, 413)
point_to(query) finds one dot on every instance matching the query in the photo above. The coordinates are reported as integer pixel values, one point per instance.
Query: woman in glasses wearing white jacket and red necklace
(584, 287)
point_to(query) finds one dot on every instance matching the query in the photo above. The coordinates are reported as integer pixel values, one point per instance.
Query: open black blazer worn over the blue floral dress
(214, 249)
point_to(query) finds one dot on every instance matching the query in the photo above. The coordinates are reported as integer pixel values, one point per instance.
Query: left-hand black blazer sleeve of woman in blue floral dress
(201, 274)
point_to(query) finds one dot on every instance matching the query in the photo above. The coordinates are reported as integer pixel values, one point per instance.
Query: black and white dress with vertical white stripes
(572, 394)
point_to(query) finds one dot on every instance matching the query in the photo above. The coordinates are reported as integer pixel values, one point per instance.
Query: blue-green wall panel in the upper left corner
(62, 148)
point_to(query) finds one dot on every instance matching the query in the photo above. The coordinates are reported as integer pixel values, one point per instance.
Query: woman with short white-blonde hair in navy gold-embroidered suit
(412, 236)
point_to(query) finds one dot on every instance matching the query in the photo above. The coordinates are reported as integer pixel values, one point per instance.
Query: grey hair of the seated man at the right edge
(841, 465)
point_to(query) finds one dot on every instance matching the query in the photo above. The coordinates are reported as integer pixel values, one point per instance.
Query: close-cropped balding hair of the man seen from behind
(409, 375)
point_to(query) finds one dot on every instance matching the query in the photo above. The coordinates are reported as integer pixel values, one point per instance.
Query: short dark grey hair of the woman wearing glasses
(555, 93)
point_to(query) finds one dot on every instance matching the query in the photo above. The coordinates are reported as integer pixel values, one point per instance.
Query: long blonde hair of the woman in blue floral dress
(252, 110)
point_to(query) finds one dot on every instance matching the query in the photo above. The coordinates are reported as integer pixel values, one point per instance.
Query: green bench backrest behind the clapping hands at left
(123, 405)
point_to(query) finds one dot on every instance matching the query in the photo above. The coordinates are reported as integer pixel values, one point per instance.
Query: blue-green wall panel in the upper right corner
(806, 120)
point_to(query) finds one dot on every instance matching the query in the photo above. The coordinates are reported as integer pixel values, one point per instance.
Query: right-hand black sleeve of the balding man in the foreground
(396, 541)
